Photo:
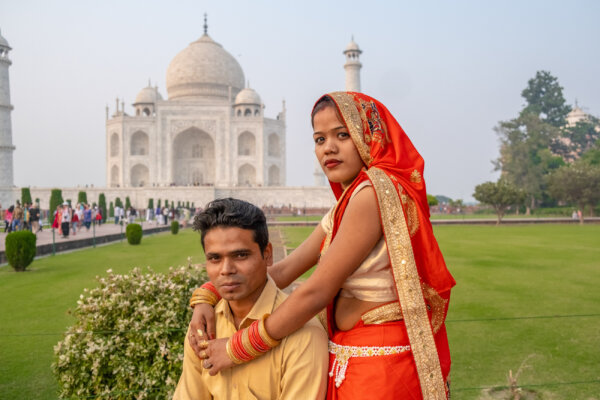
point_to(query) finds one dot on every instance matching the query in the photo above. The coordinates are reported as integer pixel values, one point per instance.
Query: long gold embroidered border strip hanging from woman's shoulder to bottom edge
(408, 286)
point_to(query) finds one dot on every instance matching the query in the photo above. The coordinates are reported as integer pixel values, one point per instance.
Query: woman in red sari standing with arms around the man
(380, 274)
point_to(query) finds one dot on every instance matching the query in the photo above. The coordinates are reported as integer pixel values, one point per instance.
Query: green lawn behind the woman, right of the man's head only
(507, 272)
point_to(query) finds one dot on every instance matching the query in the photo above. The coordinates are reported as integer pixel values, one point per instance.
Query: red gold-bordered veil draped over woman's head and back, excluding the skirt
(395, 169)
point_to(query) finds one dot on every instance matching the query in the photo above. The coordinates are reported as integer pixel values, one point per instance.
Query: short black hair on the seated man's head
(233, 213)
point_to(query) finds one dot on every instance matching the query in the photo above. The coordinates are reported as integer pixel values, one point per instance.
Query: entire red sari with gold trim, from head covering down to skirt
(423, 283)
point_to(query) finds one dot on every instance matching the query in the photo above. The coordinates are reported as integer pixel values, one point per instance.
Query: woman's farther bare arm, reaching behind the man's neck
(299, 261)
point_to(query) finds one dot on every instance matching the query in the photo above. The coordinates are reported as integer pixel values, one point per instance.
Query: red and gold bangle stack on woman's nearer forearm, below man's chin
(247, 344)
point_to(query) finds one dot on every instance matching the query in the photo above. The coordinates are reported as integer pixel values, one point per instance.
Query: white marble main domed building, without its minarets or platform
(211, 131)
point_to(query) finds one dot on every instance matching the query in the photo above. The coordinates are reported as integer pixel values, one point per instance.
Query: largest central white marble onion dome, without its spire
(203, 69)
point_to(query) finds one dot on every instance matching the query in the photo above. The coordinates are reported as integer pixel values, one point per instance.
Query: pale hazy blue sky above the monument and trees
(447, 70)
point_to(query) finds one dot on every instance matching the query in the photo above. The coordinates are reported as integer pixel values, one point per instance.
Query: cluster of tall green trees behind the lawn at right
(544, 160)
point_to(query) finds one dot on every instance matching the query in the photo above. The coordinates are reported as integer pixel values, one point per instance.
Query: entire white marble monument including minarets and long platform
(209, 138)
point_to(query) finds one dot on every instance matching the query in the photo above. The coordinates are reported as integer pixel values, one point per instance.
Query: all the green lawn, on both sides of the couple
(502, 272)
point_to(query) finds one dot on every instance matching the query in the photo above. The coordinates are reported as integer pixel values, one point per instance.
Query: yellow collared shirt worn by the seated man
(296, 369)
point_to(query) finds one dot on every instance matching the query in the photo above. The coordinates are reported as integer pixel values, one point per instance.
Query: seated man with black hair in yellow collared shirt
(235, 239)
